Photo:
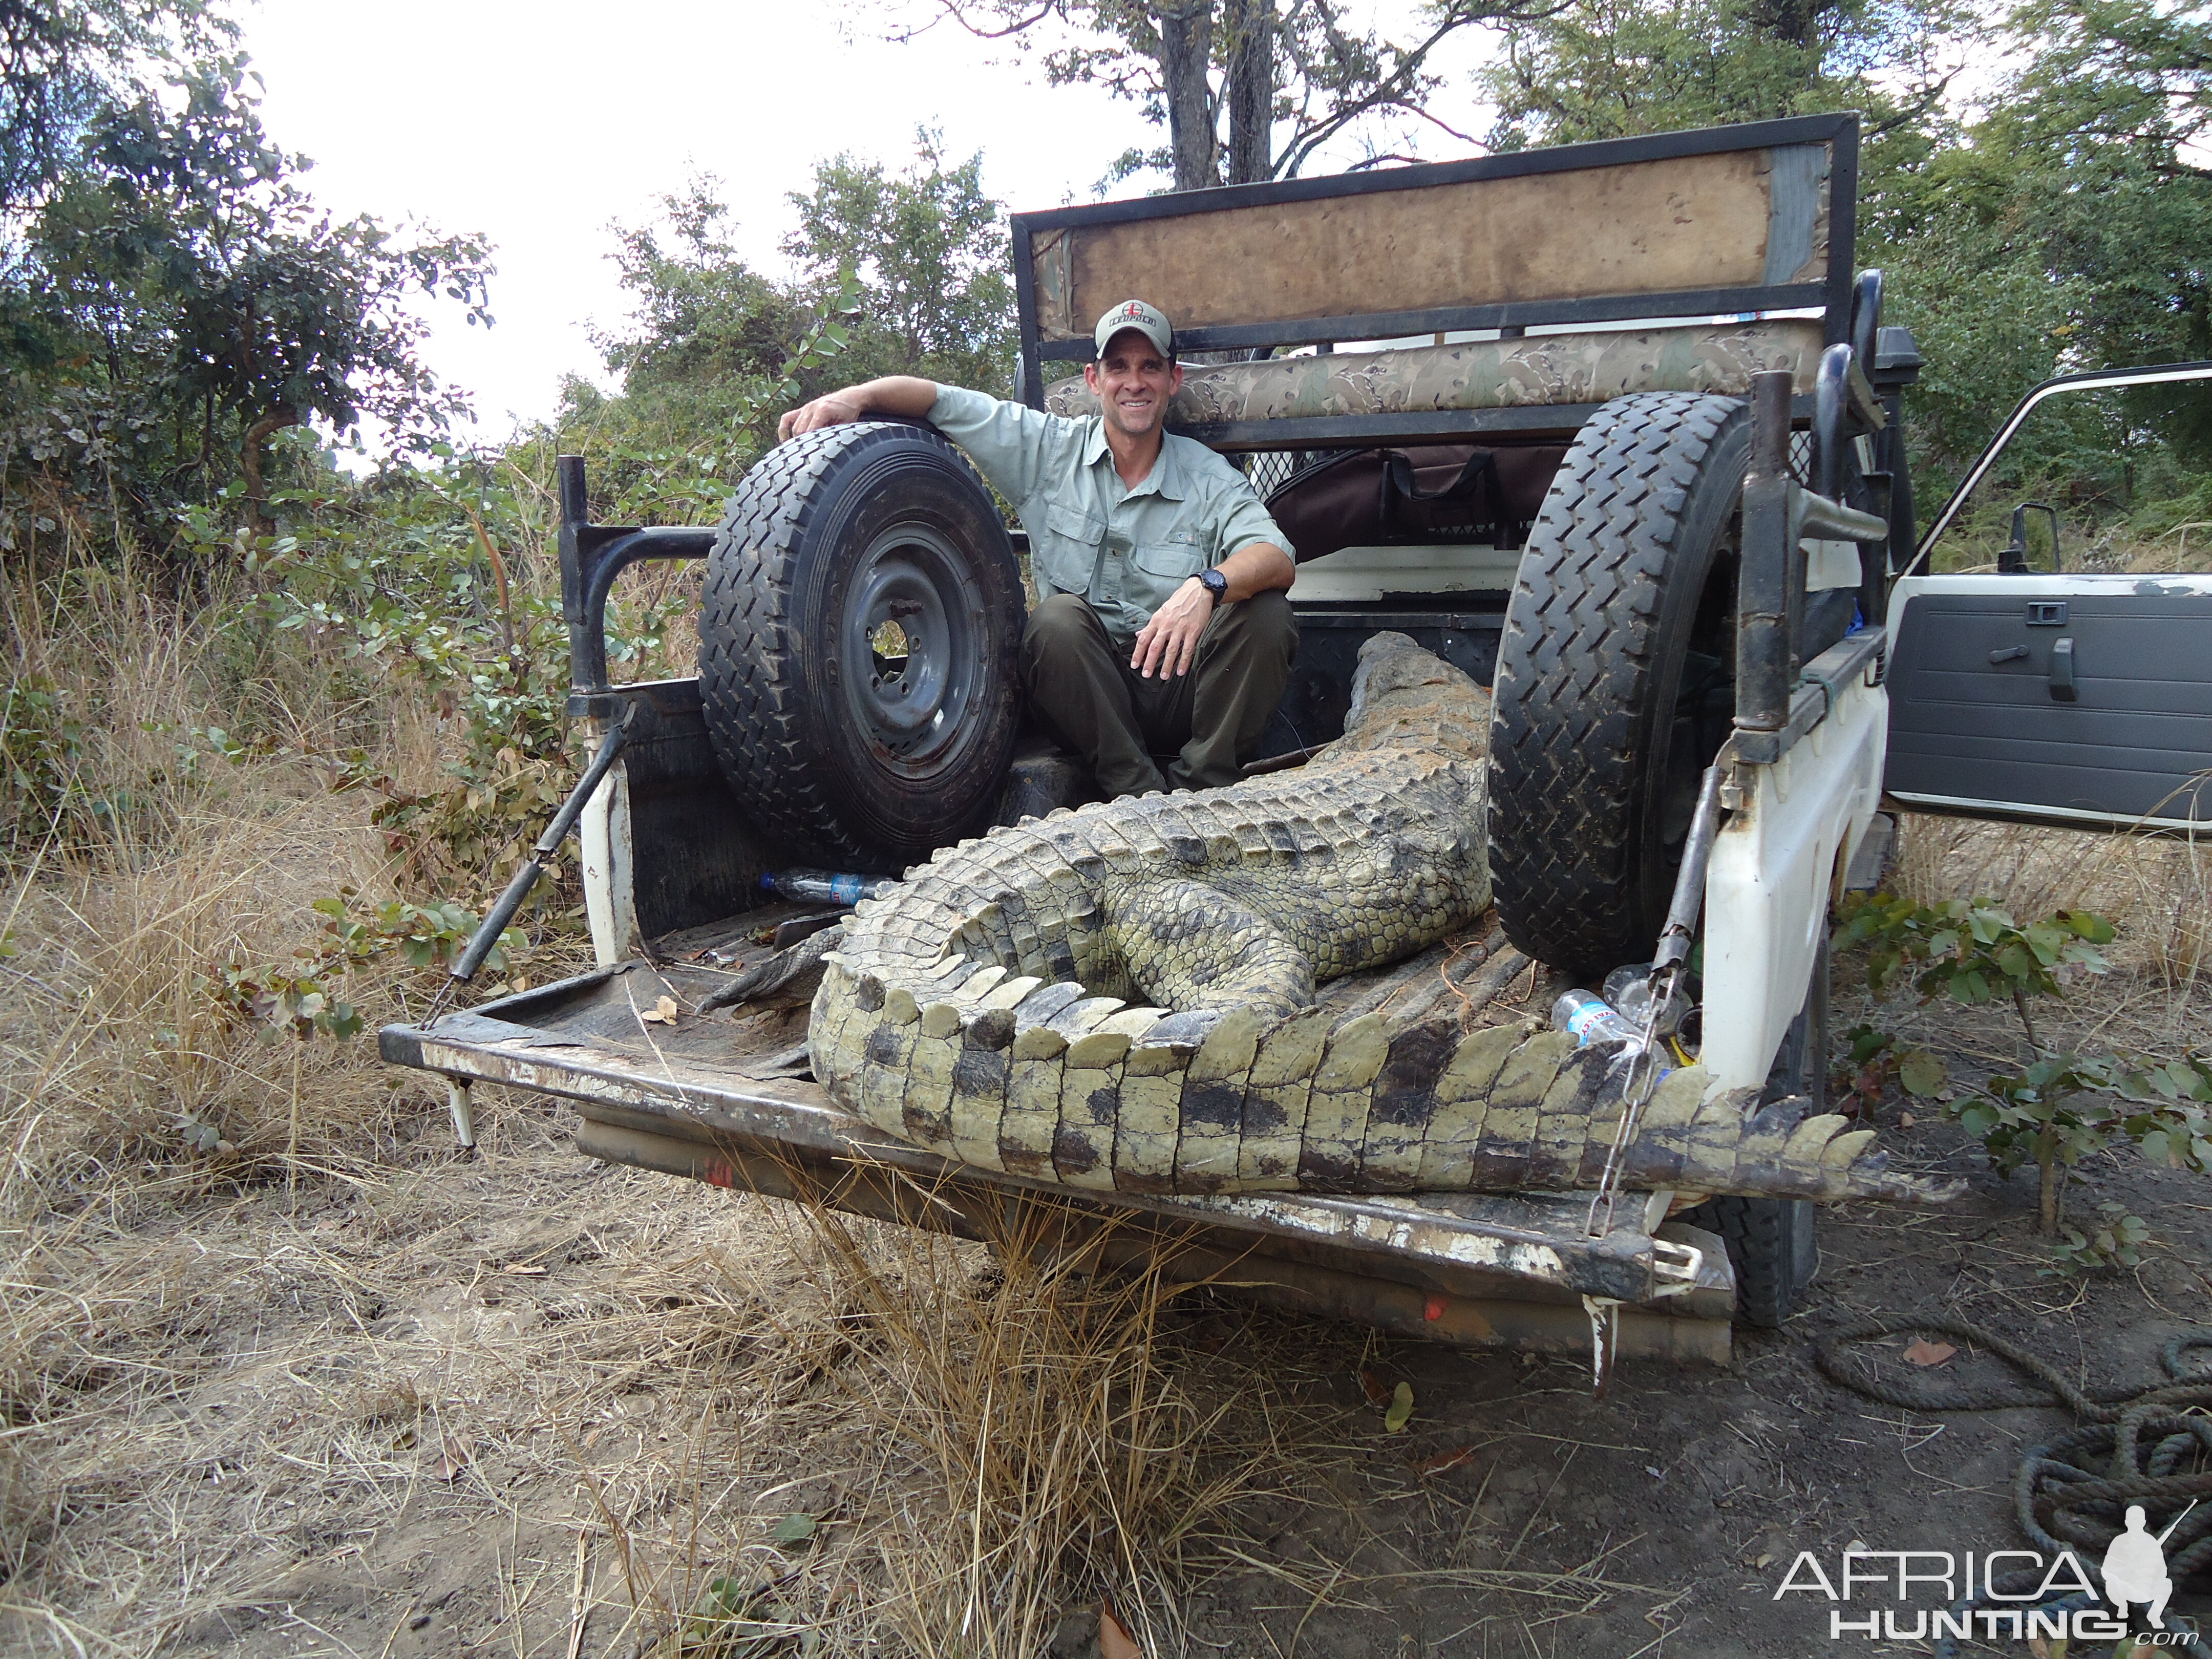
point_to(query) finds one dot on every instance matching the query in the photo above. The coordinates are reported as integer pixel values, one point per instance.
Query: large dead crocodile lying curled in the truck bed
(1123, 997)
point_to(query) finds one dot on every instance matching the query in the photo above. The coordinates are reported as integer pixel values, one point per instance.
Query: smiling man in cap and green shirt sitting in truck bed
(1162, 623)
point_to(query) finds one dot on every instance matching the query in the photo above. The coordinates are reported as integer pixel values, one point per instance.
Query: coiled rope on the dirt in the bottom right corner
(2149, 1448)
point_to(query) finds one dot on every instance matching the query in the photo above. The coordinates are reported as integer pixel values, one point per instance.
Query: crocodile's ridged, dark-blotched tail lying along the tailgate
(1045, 1081)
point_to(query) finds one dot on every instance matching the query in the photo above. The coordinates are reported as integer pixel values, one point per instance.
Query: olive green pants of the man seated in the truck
(1211, 720)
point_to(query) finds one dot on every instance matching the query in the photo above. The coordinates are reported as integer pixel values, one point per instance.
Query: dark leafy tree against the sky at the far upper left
(178, 300)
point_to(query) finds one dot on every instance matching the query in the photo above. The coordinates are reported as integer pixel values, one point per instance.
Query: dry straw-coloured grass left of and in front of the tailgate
(512, 1392)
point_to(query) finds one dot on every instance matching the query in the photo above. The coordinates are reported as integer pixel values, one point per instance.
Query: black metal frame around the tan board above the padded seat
(1833, 295)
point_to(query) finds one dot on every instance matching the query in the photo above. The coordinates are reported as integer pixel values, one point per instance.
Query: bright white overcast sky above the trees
(543, 123)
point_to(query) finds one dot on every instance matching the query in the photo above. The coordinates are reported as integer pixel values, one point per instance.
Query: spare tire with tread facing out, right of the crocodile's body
(1616, 676)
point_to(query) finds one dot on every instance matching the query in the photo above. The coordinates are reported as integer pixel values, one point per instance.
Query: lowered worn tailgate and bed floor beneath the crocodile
(731, 1103)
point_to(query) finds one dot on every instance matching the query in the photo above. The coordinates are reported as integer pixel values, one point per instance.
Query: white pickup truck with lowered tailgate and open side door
(1616, 428)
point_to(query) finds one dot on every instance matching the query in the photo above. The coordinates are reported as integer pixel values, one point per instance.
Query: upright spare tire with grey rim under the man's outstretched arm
(857, 645)
